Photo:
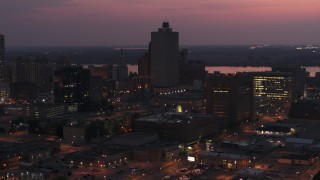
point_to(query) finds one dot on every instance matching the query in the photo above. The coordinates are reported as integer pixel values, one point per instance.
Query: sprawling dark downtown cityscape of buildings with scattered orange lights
(172, 109)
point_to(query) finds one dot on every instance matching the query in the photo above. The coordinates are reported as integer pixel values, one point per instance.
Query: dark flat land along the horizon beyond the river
(214, 55)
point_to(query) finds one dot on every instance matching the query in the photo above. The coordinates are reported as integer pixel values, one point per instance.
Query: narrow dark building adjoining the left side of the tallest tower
(144, 63)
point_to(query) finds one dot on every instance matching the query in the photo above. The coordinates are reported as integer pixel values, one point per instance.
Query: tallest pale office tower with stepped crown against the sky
(164, 57)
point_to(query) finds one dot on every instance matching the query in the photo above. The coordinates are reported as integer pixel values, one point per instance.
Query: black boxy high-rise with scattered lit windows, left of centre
(72, 86)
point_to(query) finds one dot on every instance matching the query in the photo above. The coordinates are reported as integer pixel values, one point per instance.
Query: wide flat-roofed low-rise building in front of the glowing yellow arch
(173, 126)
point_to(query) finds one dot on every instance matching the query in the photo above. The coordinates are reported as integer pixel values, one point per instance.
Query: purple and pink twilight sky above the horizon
(129, 22)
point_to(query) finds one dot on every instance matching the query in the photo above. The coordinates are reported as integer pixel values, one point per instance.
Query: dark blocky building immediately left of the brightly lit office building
(230, 97)
